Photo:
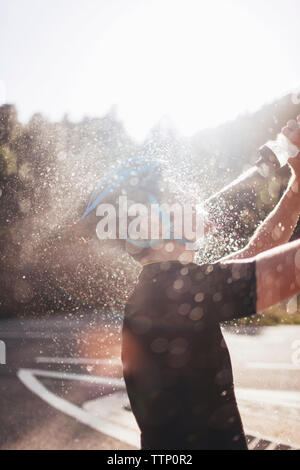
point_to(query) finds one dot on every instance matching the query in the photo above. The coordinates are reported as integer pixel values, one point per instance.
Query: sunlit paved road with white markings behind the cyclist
(62, 386)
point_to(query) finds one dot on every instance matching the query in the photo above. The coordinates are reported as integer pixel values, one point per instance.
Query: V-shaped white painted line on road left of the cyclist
(28, 378)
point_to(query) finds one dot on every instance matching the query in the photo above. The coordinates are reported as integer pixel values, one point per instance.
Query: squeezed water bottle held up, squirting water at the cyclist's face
(280, 149)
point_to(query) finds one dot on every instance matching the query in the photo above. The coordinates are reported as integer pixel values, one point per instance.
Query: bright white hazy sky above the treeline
(200, 62)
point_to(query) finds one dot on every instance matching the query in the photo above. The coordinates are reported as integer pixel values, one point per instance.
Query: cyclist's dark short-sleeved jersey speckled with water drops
(176, 363)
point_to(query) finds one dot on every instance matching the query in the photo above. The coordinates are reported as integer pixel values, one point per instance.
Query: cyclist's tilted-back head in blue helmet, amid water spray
(142, 210)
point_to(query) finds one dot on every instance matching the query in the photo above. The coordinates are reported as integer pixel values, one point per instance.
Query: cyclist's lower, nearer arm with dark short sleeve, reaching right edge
(261, 282)
